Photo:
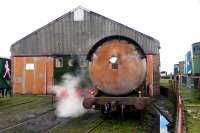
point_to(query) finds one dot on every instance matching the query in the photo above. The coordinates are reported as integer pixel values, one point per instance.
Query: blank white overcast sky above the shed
(175, 23)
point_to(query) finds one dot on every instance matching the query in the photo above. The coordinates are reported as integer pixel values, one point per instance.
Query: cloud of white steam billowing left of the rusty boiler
(69, 103)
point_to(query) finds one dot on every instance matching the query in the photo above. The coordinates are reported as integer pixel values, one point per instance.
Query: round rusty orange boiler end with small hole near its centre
(117, 67)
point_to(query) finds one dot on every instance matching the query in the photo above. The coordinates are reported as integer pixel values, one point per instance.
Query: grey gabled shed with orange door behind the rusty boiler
(36, 56)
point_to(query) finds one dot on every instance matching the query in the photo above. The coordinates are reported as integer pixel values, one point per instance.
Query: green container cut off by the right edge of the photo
(196, 65)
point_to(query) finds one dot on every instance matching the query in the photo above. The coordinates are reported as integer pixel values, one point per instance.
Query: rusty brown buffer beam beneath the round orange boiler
(138, 102)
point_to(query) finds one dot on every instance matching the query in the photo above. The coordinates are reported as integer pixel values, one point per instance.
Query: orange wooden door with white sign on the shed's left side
(32, 75)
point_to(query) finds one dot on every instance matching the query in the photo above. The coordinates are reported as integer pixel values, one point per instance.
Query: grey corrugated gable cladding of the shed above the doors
(66, 36)
